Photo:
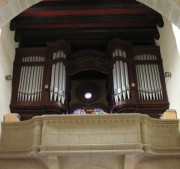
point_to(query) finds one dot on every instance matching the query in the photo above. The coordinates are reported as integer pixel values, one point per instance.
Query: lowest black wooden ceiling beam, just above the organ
(84, 34)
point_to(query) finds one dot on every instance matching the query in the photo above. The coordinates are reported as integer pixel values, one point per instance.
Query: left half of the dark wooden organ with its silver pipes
(40, 80)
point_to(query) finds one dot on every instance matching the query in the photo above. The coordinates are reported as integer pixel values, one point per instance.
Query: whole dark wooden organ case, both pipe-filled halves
(41, 83)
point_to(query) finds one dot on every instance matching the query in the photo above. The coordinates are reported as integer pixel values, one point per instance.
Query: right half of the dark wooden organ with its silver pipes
(138, 83)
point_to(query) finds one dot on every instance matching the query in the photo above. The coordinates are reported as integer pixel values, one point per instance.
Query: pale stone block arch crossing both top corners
(168, 8)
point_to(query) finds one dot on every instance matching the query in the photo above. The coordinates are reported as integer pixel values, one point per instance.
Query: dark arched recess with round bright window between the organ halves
(89, 71)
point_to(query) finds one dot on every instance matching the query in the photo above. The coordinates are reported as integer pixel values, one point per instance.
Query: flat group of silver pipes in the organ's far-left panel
(30, 83)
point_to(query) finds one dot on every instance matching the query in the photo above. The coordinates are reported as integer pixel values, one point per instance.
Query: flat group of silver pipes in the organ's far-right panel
(148, 77)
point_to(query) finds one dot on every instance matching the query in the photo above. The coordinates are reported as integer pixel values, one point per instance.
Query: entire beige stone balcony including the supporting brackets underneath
(91, 141)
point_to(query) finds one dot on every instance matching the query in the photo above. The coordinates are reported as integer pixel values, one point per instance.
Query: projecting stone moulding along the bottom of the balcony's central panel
(114, 149)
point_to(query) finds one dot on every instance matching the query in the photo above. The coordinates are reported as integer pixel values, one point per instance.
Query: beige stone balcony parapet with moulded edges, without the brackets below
(64, 135)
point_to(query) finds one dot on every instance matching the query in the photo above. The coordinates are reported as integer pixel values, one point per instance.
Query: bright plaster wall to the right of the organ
(171, 63)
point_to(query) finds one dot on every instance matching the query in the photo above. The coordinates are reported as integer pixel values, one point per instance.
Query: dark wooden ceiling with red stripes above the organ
(86, 23)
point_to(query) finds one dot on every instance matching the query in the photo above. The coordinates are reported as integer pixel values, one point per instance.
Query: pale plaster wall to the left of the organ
(7, 53)
